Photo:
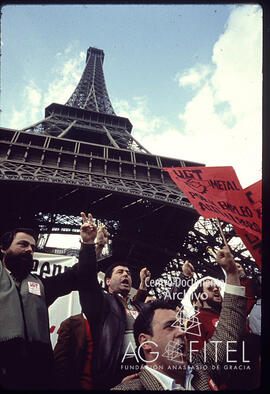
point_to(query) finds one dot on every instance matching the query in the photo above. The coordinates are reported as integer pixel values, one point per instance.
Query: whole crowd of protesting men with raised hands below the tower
(119, 342)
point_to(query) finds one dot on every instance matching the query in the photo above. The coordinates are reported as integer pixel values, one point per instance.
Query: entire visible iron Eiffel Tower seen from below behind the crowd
(82, 157)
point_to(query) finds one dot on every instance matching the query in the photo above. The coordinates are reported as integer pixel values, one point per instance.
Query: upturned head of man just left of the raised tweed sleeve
(208, 295)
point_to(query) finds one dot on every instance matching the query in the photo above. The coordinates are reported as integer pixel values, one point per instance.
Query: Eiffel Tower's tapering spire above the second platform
(91, 92)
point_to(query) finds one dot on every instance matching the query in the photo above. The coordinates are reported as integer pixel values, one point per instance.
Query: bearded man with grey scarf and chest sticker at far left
(26, 357)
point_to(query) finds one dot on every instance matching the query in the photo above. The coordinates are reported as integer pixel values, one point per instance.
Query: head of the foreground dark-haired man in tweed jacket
(163, 343)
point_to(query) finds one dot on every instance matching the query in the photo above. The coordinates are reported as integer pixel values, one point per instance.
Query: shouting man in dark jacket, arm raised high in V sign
(111, 314)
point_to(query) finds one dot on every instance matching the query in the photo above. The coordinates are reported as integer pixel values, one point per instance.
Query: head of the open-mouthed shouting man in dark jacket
(118, 279)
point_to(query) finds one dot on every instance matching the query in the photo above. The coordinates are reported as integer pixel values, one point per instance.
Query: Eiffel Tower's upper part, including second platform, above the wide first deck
(88, 115)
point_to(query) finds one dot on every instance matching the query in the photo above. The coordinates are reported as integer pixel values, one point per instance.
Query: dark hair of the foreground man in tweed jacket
(143, 323)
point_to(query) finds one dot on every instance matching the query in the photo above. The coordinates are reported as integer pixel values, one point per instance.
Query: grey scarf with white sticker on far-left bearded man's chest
(23, 311)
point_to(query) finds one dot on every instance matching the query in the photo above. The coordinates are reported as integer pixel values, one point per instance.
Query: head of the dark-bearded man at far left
(17, 248)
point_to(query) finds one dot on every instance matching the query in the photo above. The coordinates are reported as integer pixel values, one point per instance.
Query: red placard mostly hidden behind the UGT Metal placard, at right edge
(252, 242)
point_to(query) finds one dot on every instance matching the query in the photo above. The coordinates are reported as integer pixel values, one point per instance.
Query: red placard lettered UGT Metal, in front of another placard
(215, 192)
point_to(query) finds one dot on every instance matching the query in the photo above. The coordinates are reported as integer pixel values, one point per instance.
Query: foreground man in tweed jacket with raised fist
(163, 348)
